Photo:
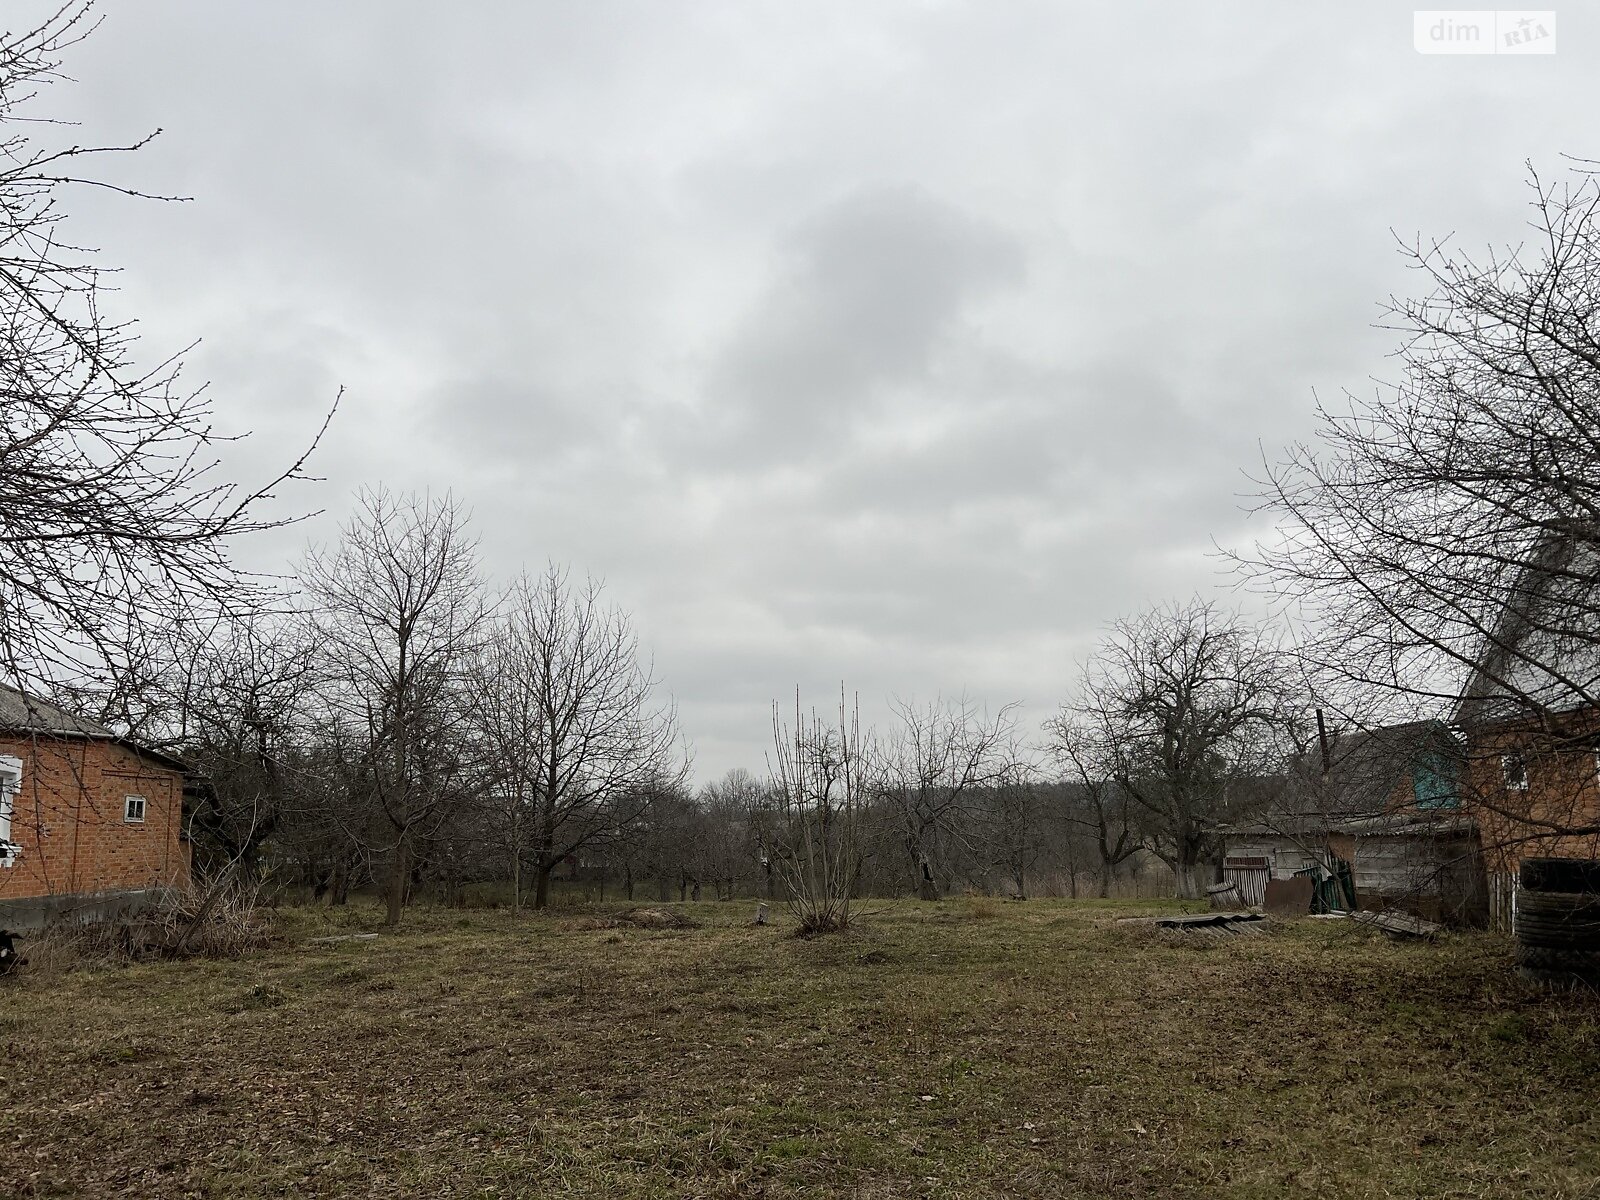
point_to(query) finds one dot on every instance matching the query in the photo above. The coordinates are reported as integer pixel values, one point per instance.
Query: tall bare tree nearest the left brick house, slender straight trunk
(399, 614)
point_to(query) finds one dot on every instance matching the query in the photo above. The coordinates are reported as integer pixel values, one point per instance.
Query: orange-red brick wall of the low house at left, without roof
(70, 820)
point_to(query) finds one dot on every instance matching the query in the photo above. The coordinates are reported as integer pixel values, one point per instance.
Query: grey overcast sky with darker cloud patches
(903, 345)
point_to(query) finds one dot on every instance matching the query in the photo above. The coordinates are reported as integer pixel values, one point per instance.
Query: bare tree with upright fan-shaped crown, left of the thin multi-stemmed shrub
(598, 735)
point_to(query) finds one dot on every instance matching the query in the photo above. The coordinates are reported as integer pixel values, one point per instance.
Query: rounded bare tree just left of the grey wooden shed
(1193, 710)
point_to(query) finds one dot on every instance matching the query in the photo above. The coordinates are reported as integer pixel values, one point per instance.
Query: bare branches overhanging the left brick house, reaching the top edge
(113, 514)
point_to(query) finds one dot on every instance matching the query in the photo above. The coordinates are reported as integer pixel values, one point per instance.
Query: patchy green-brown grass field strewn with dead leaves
(953, 1050)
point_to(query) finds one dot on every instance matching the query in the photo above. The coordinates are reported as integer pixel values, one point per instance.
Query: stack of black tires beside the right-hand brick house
(1558, 922)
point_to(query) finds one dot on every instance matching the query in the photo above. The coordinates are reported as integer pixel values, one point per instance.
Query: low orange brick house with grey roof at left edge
(89, 822)
